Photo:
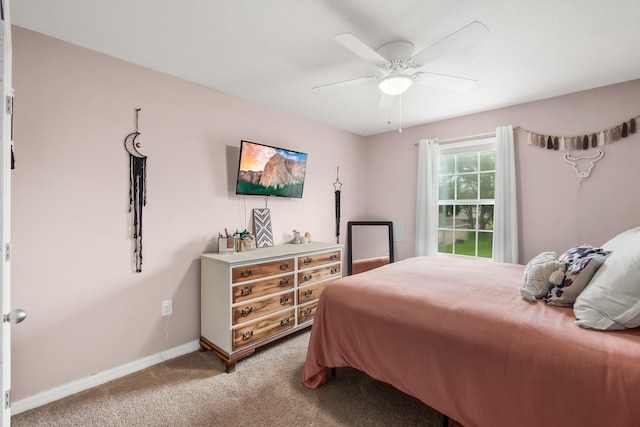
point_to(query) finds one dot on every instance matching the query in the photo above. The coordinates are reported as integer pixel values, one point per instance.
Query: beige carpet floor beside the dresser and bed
(265, 390)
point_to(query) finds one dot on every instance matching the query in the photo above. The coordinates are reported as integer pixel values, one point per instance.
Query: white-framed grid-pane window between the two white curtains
(466, 198)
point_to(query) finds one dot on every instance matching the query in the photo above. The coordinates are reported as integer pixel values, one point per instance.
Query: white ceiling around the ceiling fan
(274, 51)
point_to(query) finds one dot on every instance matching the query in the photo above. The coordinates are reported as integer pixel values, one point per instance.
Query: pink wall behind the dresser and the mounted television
(72, 251)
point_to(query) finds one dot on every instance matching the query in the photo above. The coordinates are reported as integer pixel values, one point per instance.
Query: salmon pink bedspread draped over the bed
(454, 333)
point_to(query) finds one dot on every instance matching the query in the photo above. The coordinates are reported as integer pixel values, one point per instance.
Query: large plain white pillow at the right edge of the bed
(611, 301)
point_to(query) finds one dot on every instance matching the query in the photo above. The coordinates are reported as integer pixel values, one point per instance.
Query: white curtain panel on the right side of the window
(505, 217)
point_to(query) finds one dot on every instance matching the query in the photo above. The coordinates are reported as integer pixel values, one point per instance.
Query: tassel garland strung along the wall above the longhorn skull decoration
(582, 142)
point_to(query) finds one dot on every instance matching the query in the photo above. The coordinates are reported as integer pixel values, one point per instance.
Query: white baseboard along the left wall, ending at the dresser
(57, 393)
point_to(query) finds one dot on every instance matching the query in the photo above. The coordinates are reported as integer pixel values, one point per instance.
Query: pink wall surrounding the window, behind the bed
(554, 213)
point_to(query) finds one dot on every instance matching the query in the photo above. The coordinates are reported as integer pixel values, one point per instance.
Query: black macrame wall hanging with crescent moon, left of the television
(137, 191)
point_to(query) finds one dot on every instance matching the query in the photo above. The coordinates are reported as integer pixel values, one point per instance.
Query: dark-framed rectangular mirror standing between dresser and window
(369, 245)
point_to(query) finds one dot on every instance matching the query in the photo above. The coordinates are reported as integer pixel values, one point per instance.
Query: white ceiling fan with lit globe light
(400, 67)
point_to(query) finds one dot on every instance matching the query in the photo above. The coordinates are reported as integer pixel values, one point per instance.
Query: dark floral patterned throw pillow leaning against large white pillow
(582, 263)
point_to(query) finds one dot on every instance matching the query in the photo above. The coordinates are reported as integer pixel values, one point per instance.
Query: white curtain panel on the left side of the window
(427, 198)
